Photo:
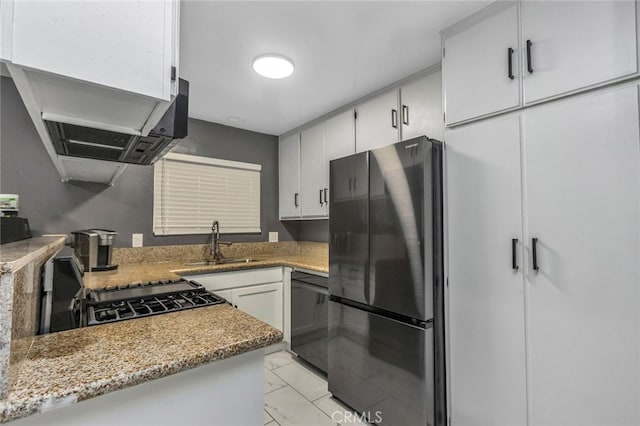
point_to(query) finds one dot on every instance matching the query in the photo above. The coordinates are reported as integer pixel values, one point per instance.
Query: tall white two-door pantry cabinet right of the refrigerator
(550, 339)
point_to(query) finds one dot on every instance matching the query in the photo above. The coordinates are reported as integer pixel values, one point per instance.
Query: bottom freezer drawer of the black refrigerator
(381, 367)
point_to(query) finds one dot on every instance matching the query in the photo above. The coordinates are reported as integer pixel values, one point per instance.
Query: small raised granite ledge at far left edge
(14, 256)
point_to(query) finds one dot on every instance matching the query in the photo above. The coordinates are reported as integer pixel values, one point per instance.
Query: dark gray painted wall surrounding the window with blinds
(127, 207)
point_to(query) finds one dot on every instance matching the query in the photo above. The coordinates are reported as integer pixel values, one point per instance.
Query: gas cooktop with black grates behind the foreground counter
(141, 300)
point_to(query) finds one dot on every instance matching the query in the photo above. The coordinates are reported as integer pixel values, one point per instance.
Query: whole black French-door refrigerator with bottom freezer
(386, 328)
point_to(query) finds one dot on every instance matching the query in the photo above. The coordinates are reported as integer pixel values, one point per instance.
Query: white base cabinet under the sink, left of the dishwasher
(258, 292)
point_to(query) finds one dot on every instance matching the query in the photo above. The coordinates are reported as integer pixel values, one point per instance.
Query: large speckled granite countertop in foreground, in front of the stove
(71, 366)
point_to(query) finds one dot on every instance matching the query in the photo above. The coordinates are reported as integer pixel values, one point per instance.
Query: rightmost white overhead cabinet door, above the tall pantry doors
(576, 45)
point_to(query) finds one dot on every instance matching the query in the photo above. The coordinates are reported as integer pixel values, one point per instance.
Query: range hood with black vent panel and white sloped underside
(92, 132)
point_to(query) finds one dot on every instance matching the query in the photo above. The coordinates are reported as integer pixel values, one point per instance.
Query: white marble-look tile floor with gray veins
(297, 395)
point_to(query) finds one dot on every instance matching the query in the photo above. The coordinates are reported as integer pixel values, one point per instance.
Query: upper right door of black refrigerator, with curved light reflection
(401, 228)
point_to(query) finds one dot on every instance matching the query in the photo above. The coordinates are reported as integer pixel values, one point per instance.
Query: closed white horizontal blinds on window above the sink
(190, 192)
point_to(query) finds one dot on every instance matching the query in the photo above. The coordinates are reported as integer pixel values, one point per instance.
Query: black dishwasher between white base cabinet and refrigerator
(310, 318)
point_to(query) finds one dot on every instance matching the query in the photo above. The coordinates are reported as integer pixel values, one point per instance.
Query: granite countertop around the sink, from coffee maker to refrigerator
(144, 272)
